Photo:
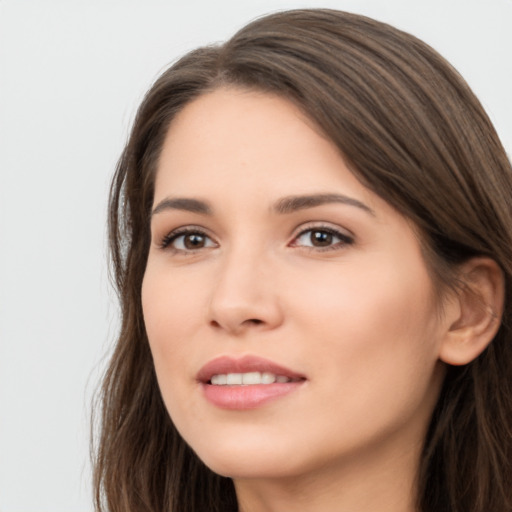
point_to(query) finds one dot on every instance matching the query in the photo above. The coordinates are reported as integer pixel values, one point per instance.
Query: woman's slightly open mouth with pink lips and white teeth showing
(246, 383)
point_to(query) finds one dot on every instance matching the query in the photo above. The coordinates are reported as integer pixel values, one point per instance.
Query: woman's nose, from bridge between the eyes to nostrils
(245, 296)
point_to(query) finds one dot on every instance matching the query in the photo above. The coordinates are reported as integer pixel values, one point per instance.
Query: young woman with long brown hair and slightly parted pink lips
(310, 228)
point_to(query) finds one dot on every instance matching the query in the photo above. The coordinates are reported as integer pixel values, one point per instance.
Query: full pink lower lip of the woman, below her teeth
(248, 396)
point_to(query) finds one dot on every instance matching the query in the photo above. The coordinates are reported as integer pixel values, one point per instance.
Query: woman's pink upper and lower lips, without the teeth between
(243, 397)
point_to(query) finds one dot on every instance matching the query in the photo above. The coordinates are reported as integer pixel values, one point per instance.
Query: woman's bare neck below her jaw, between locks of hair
(385, 485)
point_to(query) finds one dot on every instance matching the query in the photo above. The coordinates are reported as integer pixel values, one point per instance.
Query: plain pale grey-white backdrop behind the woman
(71, 76)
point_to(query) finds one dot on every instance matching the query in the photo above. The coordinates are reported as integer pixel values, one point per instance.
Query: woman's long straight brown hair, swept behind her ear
(413, 132)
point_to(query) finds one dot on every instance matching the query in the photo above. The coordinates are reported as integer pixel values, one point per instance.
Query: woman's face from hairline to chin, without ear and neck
(289, 311)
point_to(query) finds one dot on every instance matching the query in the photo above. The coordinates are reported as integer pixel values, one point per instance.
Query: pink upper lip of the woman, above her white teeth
(245, 364)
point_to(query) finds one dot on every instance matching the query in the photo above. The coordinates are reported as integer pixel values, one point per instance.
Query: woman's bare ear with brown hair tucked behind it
(474, 312)
